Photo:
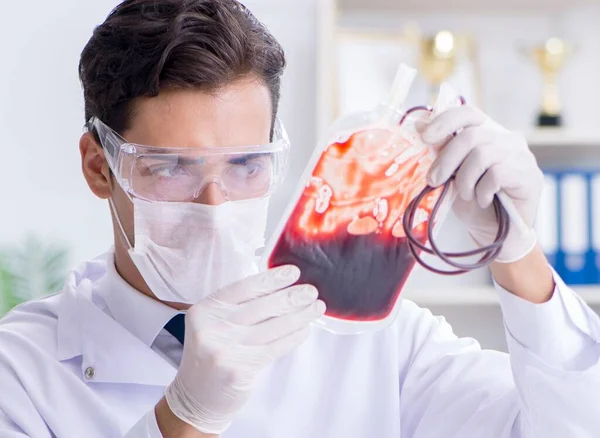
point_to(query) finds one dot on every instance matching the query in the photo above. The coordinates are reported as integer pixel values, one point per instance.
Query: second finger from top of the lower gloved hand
(273, 305)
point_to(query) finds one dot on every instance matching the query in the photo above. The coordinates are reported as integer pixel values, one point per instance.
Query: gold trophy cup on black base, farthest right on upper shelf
(550, 57)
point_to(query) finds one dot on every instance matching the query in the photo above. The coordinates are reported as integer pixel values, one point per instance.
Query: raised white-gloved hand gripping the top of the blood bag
(485, 159)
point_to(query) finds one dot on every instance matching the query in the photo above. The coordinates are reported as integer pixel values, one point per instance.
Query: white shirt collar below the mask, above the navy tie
(142, 316)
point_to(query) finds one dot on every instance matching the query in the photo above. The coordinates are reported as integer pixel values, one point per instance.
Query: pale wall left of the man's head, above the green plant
(41, 119)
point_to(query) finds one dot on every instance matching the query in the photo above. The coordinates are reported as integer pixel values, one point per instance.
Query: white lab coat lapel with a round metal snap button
(113, 353)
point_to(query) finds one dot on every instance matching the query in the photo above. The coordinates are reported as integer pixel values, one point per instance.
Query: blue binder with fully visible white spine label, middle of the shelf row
(572, 258)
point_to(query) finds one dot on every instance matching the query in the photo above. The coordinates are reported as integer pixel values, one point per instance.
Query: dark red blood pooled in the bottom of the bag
(358, 277)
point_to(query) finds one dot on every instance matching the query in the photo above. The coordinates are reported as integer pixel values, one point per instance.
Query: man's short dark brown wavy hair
(148, 45)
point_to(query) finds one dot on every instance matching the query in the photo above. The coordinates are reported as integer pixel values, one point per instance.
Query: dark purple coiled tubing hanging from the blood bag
(488, 253)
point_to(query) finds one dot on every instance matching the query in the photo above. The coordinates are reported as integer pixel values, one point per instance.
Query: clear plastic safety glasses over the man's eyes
(181, 174)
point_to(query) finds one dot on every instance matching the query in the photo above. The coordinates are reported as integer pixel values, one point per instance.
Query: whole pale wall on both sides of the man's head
(41, 115)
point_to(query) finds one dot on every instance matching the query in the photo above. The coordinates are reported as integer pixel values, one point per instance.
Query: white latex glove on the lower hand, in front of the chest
(231, 336)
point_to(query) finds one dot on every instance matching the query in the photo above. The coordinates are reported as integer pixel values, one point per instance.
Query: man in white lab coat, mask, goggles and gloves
(183, 141)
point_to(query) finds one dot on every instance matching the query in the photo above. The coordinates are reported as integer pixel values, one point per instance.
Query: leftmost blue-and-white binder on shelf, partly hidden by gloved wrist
(546, 221)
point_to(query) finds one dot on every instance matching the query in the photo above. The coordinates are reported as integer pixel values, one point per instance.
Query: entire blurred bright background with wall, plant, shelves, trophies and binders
(533, 65)
